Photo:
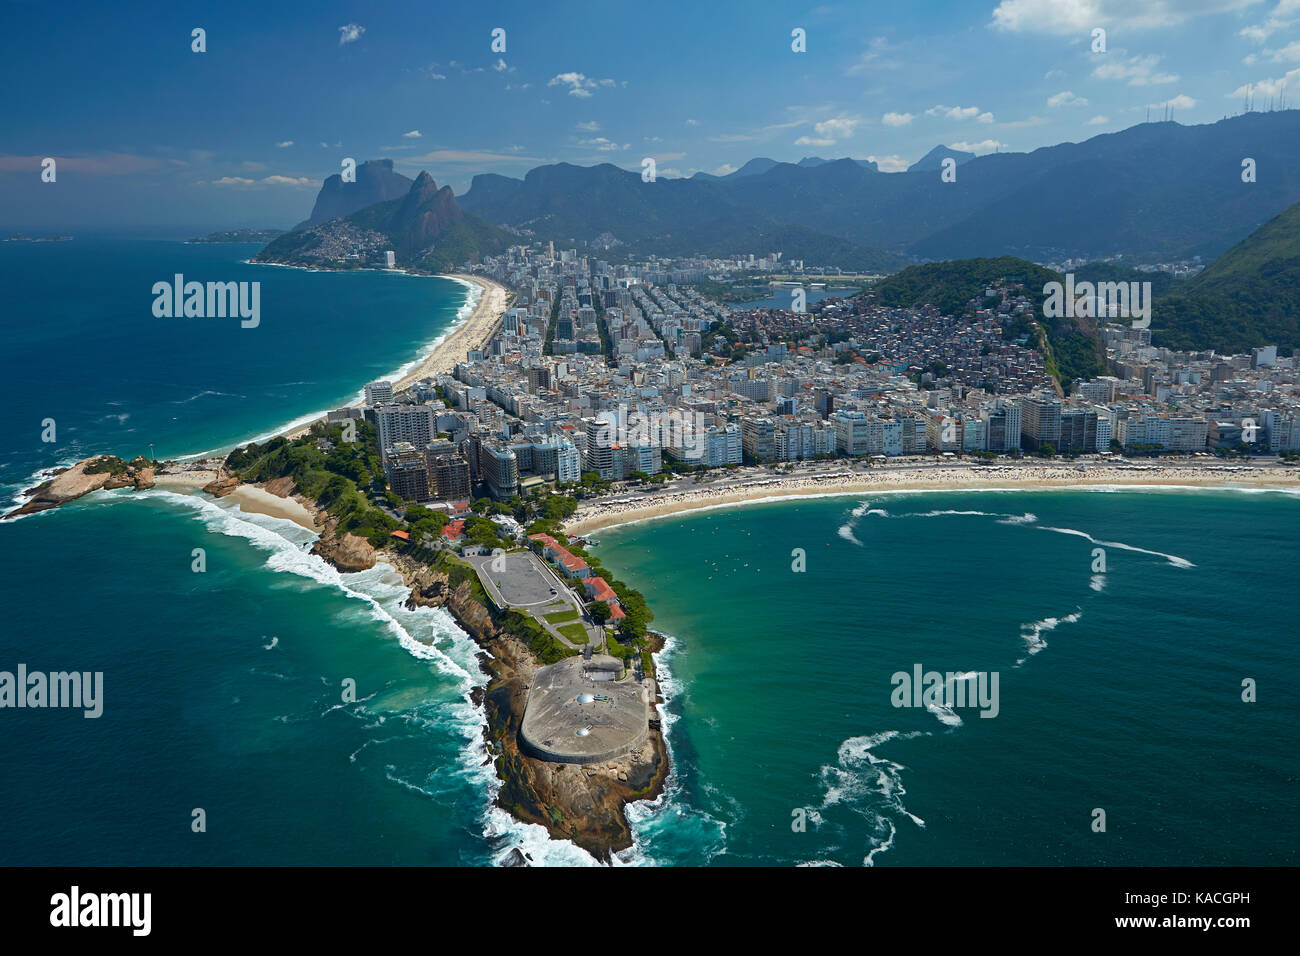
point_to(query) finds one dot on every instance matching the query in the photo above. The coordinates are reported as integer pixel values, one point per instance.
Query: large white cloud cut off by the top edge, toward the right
(1067, 18)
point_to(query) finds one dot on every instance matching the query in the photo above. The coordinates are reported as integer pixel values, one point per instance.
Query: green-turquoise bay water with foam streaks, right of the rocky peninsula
(1120, 693)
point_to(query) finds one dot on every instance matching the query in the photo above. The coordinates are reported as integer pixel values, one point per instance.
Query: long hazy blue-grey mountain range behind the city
(1152, 193)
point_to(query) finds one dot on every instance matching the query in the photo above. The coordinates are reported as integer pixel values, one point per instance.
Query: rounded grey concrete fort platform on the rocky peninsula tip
(578, 715)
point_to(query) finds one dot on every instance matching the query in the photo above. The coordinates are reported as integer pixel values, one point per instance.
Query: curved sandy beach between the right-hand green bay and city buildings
(623, 509)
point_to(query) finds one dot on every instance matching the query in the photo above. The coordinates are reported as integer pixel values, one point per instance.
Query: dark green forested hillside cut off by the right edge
(1246, 299)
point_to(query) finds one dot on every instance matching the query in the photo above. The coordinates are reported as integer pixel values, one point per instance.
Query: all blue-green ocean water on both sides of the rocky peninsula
(224, 690)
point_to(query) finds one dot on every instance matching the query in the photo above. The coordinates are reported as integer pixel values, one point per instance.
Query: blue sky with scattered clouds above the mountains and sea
(149, 135)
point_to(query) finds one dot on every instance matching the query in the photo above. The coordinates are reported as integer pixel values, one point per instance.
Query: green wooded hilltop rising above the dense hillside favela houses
(1072, 347)
